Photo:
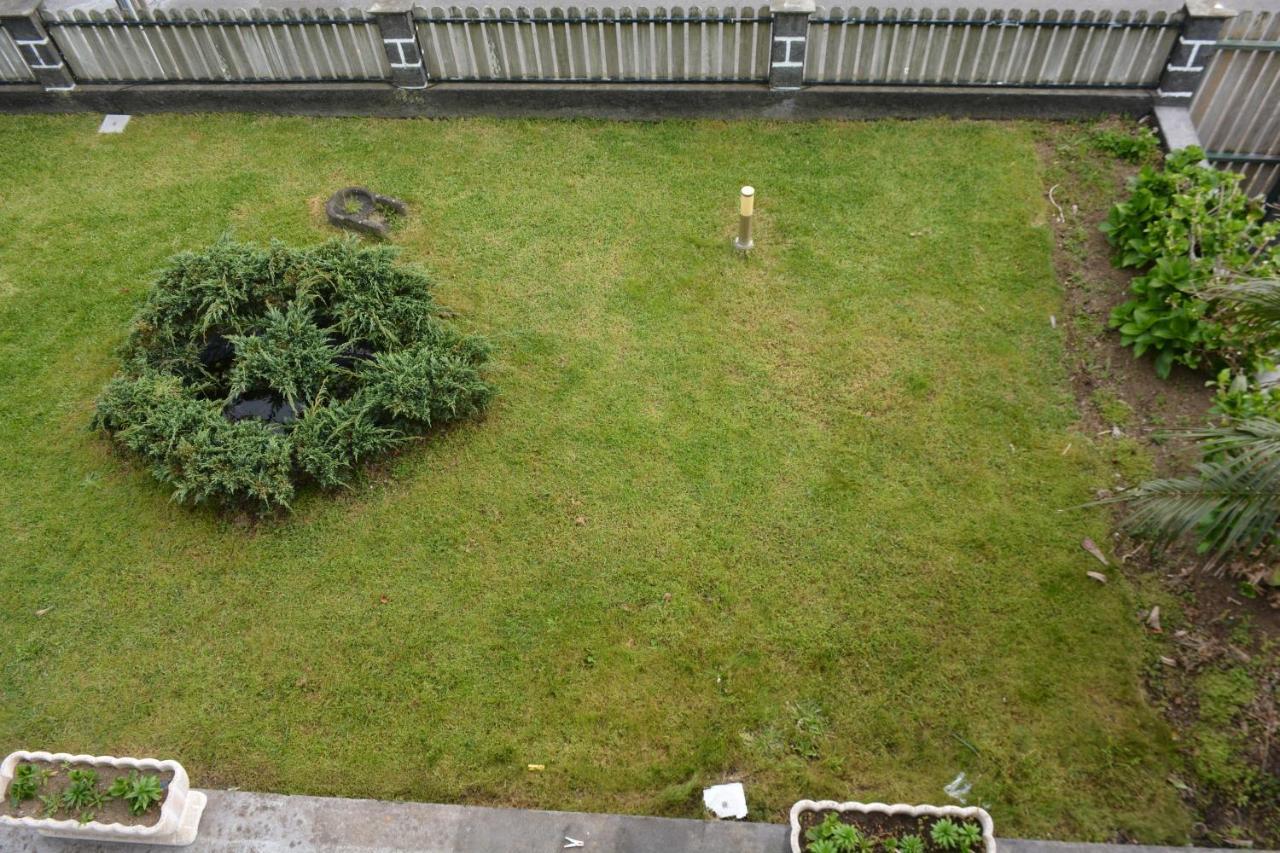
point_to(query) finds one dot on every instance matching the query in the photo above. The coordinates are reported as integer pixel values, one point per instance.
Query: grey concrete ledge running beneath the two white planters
(244, 823)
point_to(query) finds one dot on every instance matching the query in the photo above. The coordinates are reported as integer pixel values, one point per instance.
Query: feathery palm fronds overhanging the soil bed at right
(1231, 504)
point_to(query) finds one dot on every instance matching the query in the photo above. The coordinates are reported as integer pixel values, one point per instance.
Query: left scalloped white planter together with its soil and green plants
(100, 797)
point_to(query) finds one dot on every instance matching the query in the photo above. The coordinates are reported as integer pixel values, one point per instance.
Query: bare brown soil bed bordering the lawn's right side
(1222, 622)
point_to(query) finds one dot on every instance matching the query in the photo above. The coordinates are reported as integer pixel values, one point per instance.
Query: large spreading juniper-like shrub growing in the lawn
(253, 372)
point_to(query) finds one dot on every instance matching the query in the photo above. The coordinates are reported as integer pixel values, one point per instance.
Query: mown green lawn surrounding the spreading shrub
(794, 519)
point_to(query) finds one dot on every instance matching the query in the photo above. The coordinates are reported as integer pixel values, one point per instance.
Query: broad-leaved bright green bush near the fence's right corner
(1190, 227)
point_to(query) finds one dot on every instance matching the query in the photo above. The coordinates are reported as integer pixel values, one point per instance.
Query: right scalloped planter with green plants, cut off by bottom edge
(829, 827)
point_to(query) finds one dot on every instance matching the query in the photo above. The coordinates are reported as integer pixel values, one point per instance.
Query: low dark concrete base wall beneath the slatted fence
(596, 101)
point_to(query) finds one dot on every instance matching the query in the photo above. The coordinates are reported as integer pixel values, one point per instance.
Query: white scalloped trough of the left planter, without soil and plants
(180, 813)
